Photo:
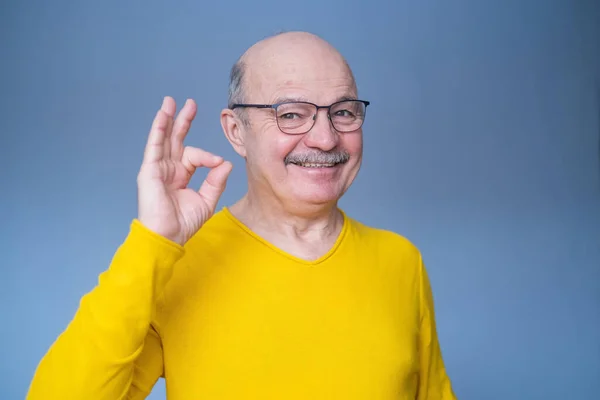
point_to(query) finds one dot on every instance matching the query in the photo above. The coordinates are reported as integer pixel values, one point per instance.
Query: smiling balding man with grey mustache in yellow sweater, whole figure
(281, 295)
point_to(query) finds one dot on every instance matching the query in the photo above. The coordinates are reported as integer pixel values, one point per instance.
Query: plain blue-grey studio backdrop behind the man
(482, 147)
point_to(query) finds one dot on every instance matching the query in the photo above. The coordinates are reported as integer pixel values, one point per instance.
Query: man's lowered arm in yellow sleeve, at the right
(434, 382)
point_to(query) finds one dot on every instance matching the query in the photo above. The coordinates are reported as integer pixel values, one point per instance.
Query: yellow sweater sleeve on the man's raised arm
(96, 356)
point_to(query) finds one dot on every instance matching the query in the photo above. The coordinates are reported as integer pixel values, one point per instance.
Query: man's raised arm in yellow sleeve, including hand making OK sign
(108, 351)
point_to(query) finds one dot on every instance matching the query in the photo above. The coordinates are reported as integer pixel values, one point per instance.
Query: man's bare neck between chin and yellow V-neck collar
(270, 217)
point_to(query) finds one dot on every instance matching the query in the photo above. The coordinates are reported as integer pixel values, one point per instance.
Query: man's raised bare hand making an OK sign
(165, 204)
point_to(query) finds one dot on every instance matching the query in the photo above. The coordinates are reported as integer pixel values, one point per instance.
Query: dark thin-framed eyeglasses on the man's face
(298, 117)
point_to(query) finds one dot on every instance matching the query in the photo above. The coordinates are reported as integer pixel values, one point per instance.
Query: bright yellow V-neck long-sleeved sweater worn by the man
(230, 316)
